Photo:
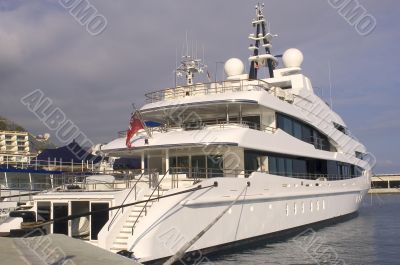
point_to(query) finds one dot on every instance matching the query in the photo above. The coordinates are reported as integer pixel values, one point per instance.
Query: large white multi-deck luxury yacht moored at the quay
(231, 162)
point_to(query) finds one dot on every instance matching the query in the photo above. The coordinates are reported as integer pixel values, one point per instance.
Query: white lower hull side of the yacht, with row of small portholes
(271, 206)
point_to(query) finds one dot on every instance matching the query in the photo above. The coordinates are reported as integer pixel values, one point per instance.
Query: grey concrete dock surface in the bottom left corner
(56, 249)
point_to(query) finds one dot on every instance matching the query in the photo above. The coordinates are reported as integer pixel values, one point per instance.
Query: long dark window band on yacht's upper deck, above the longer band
(303, 132)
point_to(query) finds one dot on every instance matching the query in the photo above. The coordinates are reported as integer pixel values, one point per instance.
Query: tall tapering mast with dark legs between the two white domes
(257, 60)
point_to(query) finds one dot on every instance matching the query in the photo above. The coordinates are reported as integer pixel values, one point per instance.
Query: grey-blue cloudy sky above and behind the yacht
(94, 79)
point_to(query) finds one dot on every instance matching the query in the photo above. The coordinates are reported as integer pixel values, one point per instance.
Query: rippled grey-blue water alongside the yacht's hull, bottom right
(373, 237)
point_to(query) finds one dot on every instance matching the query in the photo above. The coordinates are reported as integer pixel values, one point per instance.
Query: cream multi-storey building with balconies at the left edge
(14, 147)
